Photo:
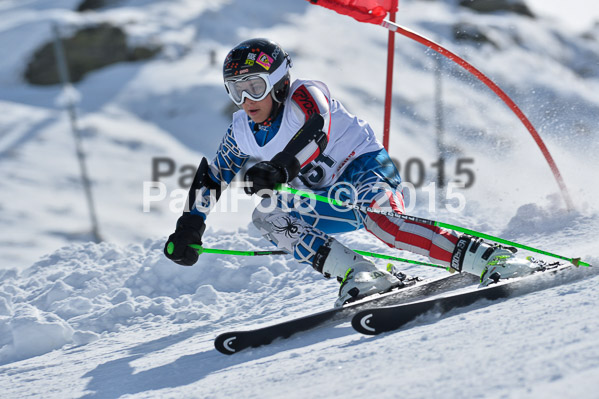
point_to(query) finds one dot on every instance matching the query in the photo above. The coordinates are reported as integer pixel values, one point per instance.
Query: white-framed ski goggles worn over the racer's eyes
(255, 87)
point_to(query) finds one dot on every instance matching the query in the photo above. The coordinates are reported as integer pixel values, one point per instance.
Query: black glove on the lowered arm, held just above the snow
(189, 231)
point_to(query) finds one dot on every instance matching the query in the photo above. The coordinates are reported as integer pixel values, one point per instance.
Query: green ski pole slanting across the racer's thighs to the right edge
(347, 204)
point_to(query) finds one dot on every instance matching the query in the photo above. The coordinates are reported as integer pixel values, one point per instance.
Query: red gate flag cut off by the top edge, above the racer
(371, 11)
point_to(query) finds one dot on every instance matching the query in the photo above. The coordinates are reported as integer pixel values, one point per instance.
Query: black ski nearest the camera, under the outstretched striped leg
(377, 320)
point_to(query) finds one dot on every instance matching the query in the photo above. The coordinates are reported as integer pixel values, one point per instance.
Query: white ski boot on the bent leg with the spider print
(358, 276)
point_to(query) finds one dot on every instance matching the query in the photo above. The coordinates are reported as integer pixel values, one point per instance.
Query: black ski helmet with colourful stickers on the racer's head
(259, 56)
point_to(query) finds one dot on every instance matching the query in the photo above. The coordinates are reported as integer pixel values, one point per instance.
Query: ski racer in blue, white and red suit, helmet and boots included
(300, 135)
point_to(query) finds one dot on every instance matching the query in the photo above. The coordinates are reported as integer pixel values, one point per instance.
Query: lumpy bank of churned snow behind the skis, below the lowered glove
(83, 292)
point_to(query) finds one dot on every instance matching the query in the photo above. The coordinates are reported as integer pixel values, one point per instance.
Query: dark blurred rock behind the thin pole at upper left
(89, 49)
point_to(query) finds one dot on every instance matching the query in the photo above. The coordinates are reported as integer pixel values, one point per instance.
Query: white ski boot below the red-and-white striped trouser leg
(489, 262)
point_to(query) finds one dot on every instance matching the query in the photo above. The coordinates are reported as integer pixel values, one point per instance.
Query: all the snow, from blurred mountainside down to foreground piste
(79, 319)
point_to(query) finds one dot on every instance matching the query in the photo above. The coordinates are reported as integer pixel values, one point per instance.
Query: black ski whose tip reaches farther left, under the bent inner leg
(234, 341)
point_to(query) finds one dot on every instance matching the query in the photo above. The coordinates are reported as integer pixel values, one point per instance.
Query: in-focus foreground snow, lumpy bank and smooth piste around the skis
(103, 321)
